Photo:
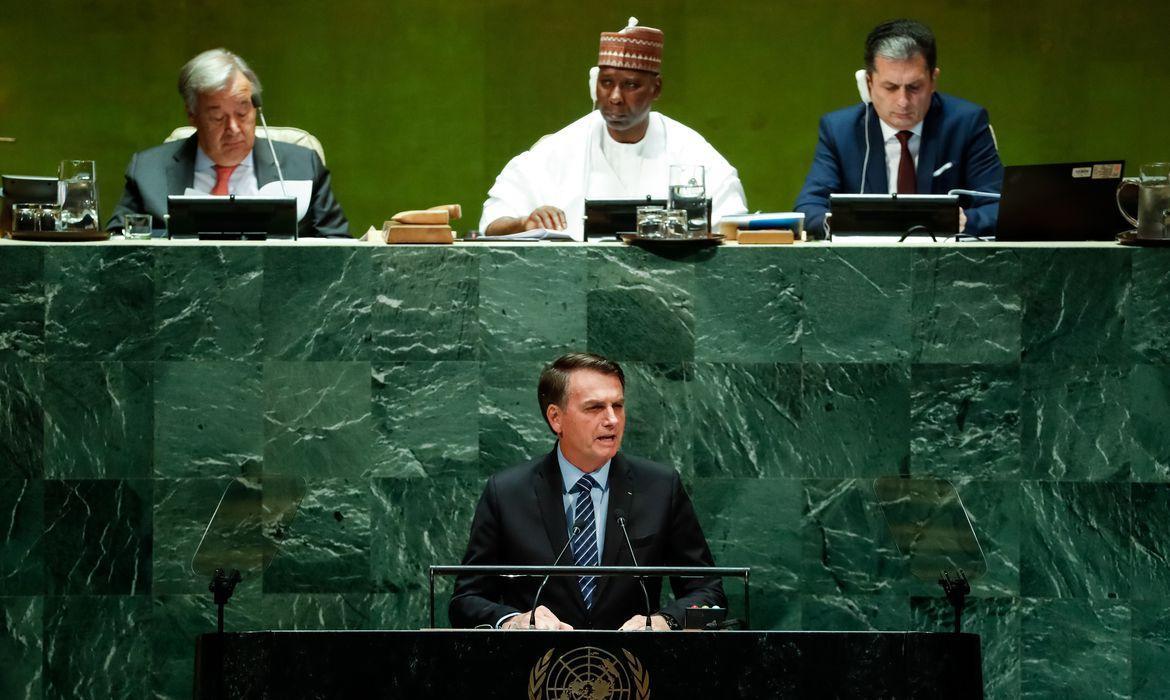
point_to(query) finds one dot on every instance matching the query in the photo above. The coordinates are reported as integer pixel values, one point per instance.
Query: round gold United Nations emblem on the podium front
(589, 674)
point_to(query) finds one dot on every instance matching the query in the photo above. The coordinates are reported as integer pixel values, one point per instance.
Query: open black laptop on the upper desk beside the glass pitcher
(1062, 202)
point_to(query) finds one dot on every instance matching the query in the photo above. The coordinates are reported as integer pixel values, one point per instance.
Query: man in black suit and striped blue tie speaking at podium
(572, 502)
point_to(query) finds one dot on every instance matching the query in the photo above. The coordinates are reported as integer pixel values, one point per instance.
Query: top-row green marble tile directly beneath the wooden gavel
(426, 304)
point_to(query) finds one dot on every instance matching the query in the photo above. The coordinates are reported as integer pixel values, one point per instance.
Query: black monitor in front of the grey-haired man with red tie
(231, 218)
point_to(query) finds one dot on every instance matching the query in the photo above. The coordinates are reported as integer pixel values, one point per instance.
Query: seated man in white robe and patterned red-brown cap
(622, 150)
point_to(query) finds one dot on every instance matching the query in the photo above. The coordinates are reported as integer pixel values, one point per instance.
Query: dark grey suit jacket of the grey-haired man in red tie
(170, 169)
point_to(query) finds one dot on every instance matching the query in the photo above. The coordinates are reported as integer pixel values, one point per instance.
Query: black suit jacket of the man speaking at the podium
(521, 520)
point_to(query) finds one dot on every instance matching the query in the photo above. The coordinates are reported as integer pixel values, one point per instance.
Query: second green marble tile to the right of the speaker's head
(752, 420)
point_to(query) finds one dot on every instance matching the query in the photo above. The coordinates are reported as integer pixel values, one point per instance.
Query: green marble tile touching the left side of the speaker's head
(512, 429)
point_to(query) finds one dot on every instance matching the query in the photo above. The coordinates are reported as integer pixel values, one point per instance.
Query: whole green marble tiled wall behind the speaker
(136, 381)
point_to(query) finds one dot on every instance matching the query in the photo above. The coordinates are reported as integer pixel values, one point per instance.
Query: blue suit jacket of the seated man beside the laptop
(954, 132)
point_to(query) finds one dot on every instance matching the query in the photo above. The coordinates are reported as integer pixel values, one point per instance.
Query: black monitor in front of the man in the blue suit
(894, 215)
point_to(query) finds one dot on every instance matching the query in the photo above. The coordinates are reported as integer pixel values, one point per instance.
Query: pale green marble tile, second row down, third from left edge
(209, 418)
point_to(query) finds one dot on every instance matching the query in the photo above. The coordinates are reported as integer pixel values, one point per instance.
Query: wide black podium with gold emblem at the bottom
(602, 665)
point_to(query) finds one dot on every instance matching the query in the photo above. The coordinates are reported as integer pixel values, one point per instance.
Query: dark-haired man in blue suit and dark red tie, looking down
(910, 140)
